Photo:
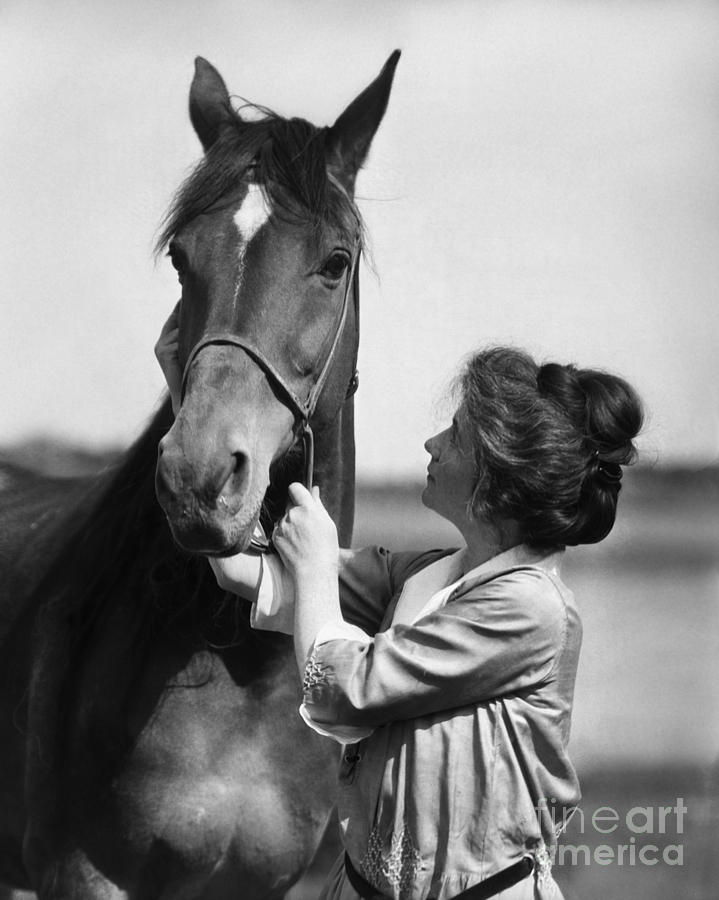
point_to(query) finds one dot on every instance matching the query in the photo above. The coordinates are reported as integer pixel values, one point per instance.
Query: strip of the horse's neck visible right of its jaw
(335, 469)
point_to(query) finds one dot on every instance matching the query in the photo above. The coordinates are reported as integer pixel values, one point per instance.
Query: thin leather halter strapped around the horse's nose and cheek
(303, 409)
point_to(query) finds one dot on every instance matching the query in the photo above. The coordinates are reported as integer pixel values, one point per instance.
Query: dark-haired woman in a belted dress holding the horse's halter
(449, 675)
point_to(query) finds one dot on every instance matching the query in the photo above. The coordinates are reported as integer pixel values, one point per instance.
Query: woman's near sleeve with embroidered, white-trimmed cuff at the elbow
(498, 638)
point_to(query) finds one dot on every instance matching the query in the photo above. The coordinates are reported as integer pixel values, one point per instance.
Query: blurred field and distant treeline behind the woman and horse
(646, 724)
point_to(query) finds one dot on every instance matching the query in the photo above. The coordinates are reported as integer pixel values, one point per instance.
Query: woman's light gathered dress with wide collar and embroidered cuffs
(452, 693)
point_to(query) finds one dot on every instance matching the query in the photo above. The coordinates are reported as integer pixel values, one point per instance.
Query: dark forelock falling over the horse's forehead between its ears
(287, 158)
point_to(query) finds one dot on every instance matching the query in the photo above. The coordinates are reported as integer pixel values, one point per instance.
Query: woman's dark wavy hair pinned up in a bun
(549, 442)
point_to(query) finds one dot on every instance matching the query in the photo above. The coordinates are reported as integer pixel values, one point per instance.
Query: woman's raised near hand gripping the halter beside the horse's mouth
(306, 536)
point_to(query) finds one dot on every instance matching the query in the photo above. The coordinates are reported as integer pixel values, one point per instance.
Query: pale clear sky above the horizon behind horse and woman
(547, 175)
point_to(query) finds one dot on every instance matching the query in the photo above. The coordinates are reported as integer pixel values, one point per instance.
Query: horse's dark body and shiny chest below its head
(156, 733)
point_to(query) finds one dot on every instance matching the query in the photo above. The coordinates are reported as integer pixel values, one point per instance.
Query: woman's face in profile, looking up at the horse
(451, 474)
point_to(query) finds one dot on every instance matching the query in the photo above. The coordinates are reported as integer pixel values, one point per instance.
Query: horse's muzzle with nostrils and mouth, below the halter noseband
(213, 467)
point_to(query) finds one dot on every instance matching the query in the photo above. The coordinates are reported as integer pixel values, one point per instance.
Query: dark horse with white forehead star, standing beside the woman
(151, 742)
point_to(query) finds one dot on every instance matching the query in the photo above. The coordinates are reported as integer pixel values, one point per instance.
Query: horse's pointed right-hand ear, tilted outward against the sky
(349, 139)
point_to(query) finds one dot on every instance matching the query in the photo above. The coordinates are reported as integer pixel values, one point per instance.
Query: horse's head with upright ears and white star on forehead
(265, 237)
